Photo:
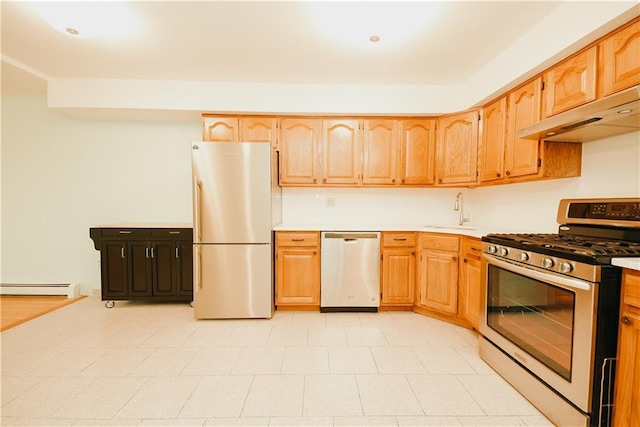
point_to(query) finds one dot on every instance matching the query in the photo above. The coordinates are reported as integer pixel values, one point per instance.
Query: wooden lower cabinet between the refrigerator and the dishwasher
(297, 270)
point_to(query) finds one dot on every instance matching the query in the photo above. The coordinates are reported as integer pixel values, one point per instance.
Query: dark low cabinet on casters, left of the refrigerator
(145, 263)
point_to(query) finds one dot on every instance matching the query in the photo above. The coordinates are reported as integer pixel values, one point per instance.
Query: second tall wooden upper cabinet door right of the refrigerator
(341, 148)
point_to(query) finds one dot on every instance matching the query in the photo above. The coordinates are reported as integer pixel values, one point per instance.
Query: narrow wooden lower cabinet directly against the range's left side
(470, 281)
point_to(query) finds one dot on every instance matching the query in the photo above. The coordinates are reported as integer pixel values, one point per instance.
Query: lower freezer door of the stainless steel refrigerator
(233, 281)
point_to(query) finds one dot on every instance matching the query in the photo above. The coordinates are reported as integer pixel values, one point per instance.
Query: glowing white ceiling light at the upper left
(89, 19)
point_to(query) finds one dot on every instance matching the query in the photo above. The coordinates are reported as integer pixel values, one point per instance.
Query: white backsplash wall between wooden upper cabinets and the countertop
(610, 168)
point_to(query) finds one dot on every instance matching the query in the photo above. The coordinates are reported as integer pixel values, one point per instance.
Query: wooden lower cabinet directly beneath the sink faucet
(438, 274)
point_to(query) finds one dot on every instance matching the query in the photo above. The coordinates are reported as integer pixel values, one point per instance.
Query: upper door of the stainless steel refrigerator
(231, 192)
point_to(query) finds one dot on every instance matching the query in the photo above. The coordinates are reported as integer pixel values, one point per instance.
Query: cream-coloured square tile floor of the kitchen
(153, 364)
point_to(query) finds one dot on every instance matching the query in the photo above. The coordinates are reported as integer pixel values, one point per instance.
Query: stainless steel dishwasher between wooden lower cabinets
(350, 273)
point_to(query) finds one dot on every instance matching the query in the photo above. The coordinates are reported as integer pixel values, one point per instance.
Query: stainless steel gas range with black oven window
(550, 308)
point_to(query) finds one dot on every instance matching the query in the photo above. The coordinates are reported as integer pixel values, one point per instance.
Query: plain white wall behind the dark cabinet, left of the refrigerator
(61, 175)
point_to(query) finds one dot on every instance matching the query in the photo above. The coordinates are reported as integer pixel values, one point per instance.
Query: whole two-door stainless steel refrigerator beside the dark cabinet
(236, 204)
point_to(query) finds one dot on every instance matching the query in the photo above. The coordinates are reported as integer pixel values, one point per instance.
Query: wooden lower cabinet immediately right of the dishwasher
(398, 270)
